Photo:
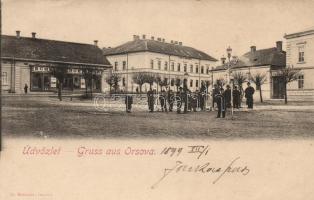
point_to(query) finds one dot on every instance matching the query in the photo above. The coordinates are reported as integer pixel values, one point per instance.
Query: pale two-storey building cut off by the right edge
(300, 55)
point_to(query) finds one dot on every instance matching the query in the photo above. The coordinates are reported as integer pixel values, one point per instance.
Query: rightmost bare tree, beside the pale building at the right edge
(289, 74)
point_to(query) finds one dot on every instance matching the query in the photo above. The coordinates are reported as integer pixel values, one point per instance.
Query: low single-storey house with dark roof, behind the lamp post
(264, 62)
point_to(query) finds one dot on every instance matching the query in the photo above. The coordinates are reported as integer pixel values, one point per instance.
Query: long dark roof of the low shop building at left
(51, 51)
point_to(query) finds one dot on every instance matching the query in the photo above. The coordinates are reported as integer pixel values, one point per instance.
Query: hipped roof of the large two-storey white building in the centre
(142, 45)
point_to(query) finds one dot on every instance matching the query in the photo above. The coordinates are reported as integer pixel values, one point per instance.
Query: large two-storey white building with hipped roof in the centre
(171, 60)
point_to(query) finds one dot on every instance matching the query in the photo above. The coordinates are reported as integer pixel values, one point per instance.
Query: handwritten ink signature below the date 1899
(205, 168)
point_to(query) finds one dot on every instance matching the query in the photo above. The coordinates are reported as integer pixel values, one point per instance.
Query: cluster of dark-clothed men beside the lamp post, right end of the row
(223, 98)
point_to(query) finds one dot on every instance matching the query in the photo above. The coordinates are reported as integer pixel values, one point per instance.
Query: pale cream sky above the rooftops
(207, 25)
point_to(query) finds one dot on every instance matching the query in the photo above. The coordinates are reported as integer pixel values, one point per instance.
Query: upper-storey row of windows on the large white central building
(172, 67)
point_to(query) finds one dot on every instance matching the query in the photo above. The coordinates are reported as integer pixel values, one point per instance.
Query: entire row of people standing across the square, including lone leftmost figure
(191, 101)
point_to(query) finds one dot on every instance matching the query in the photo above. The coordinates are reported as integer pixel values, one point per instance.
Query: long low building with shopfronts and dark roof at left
(32, 61)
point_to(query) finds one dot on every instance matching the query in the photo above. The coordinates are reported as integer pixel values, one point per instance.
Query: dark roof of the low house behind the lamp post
(262, 57)
